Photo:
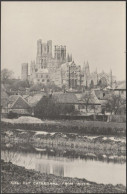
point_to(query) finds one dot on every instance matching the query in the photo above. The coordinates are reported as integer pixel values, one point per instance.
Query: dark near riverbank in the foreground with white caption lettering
(17, 179)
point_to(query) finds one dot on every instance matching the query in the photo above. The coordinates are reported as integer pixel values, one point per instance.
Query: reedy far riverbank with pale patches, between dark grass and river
(110, 148)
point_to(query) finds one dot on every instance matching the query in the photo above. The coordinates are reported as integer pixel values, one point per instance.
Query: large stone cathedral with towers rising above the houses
(61, 70)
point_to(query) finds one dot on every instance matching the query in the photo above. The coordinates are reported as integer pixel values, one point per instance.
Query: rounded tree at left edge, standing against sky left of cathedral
(6, 75)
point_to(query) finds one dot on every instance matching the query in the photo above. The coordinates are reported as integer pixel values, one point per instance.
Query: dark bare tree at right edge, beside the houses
(114, 103)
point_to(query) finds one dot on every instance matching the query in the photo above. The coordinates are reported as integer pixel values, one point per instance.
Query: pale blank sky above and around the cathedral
(92, 31)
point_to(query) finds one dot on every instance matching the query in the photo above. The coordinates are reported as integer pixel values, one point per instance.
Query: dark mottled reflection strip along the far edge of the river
(109, 156)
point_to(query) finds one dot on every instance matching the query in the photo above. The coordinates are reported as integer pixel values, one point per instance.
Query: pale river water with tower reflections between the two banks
(97, 171)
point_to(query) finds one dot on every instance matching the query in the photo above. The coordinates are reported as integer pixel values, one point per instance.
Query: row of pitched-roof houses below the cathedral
(90, 102)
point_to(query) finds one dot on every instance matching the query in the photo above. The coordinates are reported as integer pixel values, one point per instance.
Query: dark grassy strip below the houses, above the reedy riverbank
(73, 126)
